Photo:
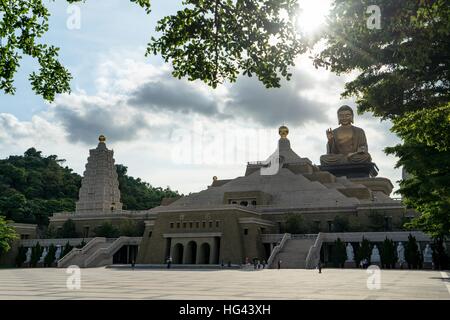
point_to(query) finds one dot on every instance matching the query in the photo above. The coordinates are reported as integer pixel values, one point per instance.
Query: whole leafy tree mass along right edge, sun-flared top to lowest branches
(402, 76)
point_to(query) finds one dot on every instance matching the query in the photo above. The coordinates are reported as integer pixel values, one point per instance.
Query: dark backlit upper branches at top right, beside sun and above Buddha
(403, 65)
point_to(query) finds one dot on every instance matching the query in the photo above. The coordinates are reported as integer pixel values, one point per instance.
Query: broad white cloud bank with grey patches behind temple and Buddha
(151, 121)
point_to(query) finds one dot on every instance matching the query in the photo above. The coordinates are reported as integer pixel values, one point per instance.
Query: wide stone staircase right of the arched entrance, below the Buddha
(294, 252)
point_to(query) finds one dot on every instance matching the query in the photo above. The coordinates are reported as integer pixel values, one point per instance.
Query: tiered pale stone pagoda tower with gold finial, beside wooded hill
(99, 192)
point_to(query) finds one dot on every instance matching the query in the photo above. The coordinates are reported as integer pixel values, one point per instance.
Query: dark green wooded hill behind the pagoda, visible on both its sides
(32, 187)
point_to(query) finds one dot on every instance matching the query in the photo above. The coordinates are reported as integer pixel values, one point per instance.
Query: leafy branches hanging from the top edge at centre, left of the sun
(215, 40)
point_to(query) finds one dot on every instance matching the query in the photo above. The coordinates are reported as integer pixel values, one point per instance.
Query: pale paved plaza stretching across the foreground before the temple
(111, 283)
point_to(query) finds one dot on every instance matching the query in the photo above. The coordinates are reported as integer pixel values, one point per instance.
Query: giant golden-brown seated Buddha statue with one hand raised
(346, 144)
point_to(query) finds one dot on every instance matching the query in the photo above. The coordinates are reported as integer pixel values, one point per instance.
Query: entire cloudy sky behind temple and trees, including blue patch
(170, 132)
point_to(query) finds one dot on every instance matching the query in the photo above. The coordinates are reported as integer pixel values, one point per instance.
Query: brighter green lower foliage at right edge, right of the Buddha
(425, 154)
